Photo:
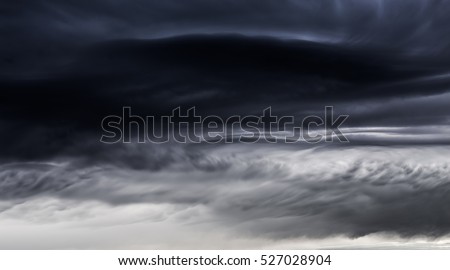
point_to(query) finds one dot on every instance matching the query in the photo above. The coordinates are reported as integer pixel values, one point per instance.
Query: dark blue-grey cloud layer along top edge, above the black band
(396, 23)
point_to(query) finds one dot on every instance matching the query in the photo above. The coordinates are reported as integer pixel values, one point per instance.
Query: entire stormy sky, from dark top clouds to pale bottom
(65, 65)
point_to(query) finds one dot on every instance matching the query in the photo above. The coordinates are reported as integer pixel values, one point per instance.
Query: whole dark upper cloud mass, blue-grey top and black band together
(85, 60)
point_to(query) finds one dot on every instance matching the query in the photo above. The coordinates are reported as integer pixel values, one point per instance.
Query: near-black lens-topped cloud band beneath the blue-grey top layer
(53, 113)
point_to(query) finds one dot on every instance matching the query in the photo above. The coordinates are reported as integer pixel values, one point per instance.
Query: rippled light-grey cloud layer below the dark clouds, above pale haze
(313, 193)
